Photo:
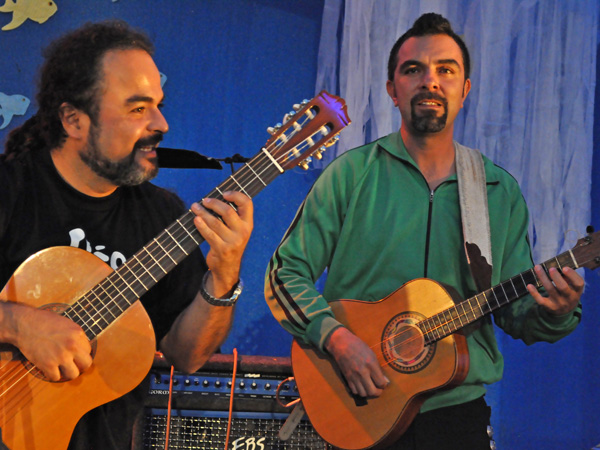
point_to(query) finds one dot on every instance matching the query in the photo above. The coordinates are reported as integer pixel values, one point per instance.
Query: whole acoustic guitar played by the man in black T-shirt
(36, 414)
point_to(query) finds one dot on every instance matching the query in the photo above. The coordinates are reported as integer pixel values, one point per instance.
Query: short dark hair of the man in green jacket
(427, 25)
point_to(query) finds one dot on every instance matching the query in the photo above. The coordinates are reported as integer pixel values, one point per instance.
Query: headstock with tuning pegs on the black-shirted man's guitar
(312, 127)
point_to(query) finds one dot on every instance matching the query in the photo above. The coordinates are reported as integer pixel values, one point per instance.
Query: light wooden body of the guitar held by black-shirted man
(36, 414)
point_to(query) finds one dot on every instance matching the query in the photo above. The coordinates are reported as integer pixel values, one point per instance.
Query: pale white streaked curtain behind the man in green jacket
(530, 108)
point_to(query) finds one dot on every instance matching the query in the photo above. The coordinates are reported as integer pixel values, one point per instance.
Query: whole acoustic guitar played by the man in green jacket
(415, 334)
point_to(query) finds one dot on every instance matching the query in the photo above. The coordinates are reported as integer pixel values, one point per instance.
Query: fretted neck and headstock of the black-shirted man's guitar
(314, 126)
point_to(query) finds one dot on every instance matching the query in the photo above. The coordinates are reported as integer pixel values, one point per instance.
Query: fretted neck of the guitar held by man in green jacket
(468, 311)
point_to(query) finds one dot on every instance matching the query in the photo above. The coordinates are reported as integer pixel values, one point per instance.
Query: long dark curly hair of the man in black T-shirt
(72, 73)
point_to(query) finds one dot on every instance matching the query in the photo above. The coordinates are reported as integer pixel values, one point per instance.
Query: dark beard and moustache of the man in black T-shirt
(125, 172)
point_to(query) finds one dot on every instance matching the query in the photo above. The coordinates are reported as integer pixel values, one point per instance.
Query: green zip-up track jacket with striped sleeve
(373, 224)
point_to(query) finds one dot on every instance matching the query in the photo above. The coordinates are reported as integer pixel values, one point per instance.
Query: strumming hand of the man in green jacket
(357, 362)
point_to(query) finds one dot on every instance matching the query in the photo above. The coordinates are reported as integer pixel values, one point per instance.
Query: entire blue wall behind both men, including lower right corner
(234, 68)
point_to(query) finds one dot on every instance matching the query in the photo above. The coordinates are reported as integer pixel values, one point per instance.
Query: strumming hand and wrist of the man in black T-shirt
(54, 344)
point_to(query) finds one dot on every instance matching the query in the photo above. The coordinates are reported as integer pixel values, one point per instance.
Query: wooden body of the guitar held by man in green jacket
(415, 370)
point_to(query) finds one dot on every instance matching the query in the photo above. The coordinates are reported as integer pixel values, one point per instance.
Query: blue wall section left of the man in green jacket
(233, 69)
